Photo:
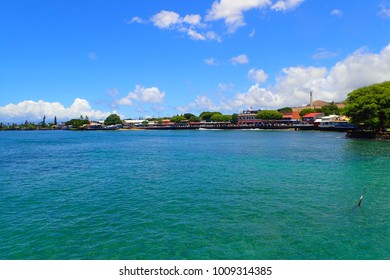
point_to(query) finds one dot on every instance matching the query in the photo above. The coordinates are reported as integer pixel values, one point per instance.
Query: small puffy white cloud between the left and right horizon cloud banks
(145, 95)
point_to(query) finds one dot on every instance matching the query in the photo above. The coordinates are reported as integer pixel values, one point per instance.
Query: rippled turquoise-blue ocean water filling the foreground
(193, 195)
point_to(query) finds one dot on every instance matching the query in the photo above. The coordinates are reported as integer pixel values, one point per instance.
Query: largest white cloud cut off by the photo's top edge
(231, 11)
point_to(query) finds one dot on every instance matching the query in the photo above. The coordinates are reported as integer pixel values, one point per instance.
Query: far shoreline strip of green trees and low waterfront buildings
(367, 108)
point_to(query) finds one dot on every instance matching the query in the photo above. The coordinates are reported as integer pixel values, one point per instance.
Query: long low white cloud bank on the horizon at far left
(35, 110)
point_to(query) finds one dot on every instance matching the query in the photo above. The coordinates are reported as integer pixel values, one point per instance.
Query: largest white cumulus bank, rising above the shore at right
(294, 84)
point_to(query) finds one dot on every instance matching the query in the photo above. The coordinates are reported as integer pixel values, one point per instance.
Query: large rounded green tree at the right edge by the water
(370, 106)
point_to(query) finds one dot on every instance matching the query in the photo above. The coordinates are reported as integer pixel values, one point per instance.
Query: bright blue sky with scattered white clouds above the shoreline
(160, 58)
